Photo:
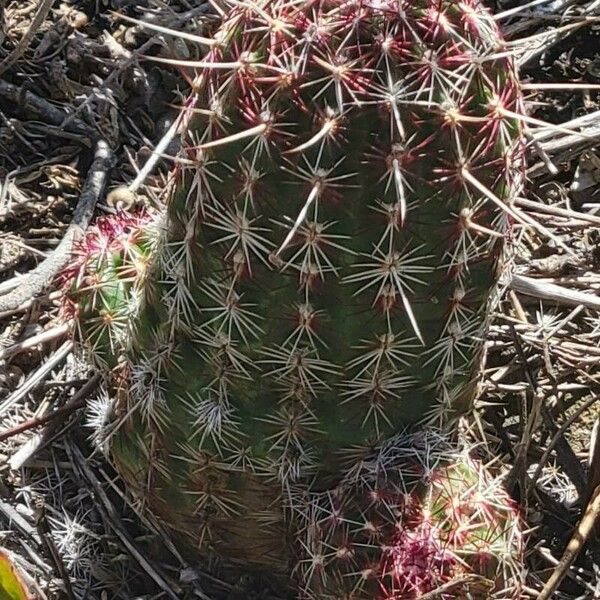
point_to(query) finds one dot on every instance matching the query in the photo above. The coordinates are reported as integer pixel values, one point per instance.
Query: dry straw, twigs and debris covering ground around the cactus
(74, 79)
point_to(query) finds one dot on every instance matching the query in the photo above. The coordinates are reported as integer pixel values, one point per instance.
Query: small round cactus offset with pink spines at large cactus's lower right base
(418, 515)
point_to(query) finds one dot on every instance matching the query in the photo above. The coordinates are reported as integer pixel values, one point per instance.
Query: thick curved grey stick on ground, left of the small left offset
(38, 278)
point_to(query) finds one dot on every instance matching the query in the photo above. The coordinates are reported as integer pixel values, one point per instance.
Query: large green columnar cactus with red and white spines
(334, 230)
